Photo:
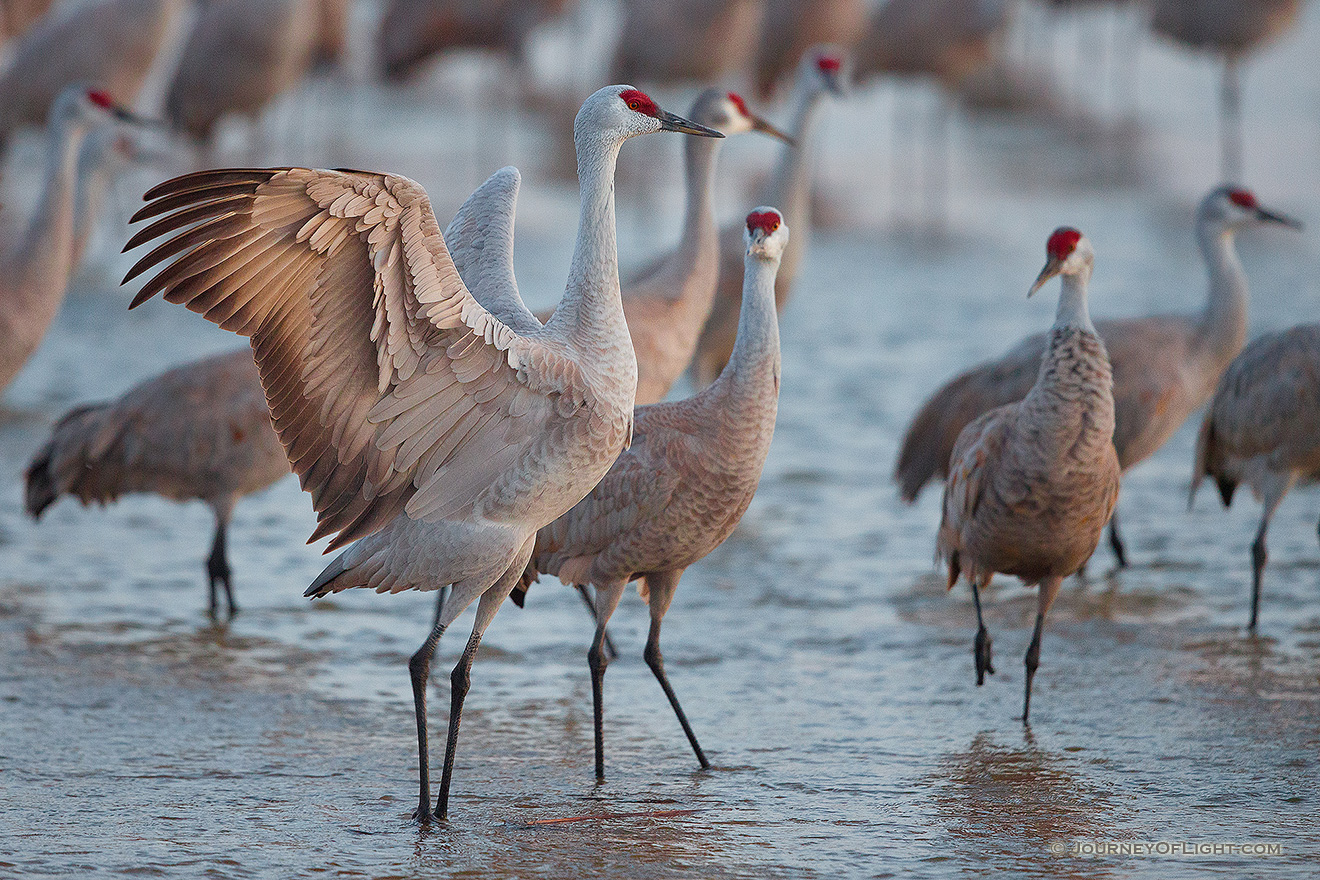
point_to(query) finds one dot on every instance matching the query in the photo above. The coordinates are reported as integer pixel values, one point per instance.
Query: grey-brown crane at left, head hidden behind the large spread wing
(196, 432)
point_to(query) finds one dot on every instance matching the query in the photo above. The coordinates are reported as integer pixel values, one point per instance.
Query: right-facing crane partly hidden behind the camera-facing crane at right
(1166, 367)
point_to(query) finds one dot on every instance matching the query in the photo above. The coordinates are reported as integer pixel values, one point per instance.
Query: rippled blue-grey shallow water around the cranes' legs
(818, 654)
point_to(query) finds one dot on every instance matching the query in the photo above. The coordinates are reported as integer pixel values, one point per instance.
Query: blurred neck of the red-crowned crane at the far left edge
(44, 261)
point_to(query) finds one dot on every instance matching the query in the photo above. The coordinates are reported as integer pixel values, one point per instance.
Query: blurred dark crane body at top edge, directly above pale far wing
(415, 31)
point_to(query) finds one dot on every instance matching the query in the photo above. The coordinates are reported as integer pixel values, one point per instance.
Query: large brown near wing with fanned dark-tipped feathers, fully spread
(393, 390)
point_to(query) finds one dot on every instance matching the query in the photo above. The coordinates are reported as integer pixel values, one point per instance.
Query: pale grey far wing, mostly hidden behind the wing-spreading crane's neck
(481, 242)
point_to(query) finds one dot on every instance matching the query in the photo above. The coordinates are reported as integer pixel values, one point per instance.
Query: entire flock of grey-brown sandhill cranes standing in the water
(455, 441)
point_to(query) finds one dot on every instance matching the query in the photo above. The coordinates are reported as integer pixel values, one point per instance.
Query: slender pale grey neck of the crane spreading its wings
(592, 311)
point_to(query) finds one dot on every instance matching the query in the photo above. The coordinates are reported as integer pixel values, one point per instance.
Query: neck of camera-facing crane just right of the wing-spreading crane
(752, 377)
